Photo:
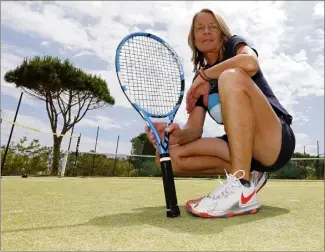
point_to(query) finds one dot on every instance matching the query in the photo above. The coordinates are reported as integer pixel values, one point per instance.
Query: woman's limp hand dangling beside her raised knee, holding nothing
(199, 87)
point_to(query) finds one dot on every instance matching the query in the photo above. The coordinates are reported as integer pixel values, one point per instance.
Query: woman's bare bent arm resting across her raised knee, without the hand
(245, 58)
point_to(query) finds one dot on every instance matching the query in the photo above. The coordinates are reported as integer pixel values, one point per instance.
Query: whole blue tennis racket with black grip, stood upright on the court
(152, 78)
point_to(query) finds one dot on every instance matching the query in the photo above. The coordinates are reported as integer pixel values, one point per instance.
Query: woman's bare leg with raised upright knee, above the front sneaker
(252, 127)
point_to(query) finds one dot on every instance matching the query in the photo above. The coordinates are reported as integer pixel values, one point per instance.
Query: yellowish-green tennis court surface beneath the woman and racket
(73, 214)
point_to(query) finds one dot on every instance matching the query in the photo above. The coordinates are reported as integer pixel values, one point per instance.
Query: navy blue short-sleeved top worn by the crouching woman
(258, 78)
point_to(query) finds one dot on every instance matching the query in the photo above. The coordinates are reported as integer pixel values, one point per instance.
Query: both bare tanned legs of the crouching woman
(253, 130)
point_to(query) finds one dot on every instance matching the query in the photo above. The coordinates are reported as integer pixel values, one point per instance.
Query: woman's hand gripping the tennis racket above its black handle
(173, 129)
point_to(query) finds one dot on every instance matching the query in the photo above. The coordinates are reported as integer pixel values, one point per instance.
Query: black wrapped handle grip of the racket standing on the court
(169, 186)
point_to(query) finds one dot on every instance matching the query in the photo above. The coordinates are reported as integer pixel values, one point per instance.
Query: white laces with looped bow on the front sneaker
(225, 188)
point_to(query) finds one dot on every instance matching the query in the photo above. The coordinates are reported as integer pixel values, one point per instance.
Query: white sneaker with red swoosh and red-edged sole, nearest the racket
(229, 199)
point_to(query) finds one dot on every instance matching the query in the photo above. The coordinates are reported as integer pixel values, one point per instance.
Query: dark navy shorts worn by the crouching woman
(287, 149)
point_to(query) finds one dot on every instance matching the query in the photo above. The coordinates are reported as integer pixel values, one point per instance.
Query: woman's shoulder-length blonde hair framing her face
(197, 56)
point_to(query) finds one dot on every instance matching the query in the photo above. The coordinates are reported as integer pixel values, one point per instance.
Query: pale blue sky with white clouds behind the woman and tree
(289, 37)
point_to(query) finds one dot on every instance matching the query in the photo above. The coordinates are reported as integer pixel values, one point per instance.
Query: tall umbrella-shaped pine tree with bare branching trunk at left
(68, 93)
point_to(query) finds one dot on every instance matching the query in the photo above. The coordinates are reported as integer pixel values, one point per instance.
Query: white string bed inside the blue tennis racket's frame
(151, 74)
